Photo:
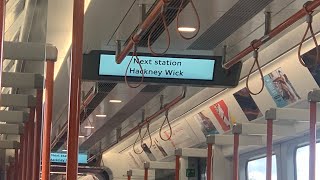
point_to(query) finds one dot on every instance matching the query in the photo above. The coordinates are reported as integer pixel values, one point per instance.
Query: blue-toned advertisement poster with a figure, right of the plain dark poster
(280, 88)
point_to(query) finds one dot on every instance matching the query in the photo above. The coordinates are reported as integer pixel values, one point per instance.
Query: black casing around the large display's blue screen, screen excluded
(221, 77)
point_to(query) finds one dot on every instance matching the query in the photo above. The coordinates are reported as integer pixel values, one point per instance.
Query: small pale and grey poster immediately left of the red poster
(205, 122)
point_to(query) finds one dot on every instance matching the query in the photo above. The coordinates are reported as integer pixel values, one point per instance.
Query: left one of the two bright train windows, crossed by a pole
(256, 169)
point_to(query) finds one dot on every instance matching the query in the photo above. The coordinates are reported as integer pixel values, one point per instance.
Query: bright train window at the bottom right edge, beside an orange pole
(302, 162)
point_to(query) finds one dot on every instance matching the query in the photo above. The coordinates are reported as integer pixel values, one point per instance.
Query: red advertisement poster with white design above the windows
(222, 114)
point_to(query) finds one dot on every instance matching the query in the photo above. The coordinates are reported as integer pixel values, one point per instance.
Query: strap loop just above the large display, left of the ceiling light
(165, 25)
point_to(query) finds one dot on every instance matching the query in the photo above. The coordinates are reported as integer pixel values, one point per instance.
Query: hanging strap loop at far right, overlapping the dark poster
(309, 20)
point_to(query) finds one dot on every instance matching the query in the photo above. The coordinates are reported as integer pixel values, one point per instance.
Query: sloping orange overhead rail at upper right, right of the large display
(277, 30)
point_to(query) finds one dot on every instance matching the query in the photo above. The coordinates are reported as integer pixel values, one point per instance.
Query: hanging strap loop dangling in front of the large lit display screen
(134, 58)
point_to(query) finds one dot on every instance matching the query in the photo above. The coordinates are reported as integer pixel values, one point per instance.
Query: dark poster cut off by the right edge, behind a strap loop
(309, 58)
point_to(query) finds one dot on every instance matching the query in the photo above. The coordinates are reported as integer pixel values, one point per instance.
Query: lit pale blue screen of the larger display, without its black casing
(158, 67)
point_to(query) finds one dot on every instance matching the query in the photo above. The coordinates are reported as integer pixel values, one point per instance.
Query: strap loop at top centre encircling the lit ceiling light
(197, 16)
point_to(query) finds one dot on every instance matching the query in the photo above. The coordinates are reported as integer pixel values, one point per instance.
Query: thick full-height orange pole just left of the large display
(75, 89)
